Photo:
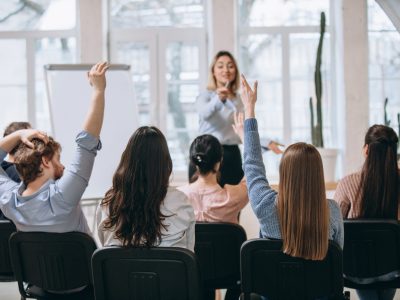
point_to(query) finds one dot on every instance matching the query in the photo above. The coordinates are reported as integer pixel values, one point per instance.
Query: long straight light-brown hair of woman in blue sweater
(302, 205)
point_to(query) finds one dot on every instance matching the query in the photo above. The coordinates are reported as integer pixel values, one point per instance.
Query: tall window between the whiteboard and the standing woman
(164, 42)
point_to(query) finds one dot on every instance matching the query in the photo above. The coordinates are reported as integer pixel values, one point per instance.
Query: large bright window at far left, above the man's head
(32, 34)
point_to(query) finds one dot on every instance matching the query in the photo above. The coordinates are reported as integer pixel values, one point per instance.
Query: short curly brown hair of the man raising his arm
(28, 160)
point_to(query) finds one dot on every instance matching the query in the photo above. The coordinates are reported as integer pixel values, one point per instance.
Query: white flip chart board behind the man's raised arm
(69, 96)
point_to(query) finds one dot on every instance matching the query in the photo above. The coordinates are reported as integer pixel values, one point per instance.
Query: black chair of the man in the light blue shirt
(53, 265)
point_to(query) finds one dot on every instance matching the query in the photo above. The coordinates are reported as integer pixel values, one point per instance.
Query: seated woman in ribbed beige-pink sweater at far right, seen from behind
(373, 192)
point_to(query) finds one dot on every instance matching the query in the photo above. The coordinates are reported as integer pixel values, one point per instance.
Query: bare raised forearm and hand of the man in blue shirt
(95, 115)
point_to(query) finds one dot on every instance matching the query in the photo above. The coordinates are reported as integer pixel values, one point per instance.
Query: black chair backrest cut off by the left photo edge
(6, 229)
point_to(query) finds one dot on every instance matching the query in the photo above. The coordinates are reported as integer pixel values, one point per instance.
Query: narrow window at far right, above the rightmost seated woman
(384, 66)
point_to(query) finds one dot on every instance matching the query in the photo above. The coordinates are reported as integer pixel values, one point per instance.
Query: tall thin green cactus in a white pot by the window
(328, 156)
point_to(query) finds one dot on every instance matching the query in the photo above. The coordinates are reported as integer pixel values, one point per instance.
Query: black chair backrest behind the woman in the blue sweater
(267, 271)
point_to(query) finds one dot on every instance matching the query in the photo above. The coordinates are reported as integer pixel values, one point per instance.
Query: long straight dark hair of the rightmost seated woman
(378, 188)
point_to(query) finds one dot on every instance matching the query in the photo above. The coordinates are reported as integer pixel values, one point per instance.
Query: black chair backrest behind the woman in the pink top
(217, 249)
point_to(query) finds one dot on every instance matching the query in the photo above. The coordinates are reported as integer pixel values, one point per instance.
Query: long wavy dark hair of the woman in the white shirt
(140, 185)
